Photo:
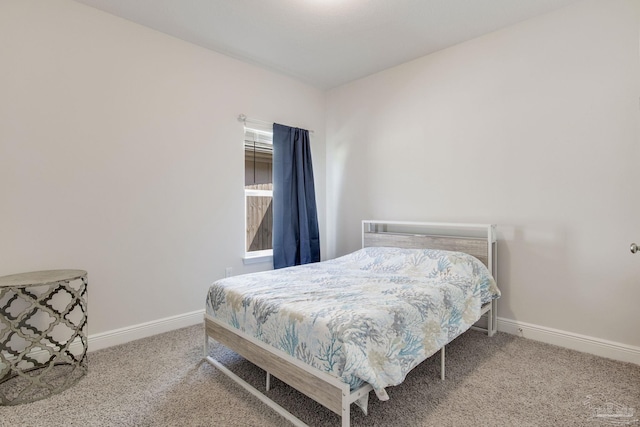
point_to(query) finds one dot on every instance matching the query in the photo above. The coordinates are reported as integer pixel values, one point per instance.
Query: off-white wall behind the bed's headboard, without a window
(534, 128)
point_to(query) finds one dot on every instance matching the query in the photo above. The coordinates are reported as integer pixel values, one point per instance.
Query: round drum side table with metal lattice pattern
(43, 334)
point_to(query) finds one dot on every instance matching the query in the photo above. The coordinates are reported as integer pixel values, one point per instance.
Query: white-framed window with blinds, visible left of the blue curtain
(258, 193)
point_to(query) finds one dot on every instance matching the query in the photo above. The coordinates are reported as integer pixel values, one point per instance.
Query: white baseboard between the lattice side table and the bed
(143, 330)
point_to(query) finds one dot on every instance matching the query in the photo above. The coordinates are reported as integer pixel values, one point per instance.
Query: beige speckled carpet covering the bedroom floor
(499, 381)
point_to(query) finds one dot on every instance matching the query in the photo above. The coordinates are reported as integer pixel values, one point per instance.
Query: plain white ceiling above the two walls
(326, 43)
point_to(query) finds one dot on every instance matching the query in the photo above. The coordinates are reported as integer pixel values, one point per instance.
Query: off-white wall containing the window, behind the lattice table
(120, 154)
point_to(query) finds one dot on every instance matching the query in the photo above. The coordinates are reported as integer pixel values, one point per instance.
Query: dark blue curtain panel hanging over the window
(296, 239)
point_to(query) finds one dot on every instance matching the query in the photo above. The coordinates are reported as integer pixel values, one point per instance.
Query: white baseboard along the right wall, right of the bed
(583, 343)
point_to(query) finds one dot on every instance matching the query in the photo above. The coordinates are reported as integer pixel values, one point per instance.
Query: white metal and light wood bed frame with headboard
(478, 240)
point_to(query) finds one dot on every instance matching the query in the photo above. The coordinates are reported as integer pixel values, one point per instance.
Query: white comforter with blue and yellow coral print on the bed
(370, 316)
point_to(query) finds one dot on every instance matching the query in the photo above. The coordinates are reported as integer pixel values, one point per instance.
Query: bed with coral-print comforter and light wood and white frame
(338, 329)
